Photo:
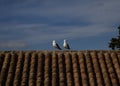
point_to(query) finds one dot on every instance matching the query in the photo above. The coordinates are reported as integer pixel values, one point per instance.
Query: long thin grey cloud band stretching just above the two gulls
(41, 32)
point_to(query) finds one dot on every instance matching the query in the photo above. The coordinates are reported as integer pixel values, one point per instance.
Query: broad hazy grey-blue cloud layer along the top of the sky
(95, 12)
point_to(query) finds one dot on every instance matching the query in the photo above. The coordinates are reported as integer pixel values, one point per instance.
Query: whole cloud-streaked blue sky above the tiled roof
(33, 24)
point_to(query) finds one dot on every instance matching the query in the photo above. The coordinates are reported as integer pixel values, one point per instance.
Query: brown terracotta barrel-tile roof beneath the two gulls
(60, 68)
